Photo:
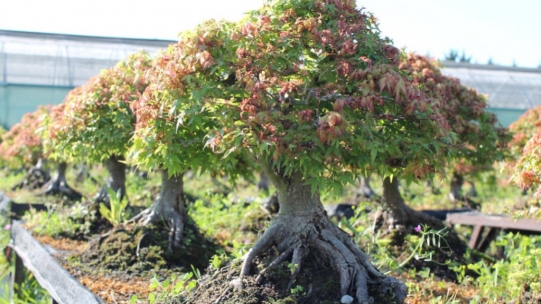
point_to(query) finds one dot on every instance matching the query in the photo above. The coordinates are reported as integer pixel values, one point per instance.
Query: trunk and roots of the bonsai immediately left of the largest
(169, 206)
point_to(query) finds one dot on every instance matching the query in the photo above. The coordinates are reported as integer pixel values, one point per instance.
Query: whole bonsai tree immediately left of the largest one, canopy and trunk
(172, 123)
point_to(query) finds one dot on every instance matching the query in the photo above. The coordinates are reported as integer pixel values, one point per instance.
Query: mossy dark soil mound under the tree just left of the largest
(144, 249)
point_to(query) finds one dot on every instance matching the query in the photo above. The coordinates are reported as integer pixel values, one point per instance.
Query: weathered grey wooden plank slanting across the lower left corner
(62, 286)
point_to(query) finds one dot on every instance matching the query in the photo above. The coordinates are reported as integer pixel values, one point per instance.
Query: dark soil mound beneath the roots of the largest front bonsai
(319, 284)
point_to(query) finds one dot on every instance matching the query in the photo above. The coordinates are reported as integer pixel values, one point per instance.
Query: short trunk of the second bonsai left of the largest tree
(115, 181)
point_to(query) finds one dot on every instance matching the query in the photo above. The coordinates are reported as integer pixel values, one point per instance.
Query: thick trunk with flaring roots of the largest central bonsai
(302, 228)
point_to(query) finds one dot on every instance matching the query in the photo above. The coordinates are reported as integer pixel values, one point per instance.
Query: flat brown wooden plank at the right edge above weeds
(497, 221)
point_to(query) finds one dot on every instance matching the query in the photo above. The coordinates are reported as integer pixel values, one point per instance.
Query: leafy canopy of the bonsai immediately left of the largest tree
(171, 117)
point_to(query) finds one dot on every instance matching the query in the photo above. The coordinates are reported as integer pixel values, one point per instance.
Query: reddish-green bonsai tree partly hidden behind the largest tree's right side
(480, 139)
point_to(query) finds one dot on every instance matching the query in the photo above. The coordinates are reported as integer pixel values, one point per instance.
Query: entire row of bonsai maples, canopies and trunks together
(306, 92)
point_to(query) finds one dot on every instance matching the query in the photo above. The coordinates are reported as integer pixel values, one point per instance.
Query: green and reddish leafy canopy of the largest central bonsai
(311, 87)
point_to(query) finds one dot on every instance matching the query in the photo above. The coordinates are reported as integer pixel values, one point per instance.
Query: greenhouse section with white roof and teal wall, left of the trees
(40, 68)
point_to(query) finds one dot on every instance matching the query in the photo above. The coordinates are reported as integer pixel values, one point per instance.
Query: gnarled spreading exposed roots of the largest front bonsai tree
(296, 238)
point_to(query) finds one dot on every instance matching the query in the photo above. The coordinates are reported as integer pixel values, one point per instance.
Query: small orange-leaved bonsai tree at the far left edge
(21, 146)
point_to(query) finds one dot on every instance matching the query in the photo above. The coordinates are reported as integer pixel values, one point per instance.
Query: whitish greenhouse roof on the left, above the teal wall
(63, 60)
